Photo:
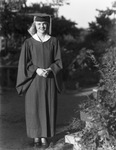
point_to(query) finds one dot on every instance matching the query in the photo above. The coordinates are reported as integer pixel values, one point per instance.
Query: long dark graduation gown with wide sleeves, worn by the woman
(40, 92)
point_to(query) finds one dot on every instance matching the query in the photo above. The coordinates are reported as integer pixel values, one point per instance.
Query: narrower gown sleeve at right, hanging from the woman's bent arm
(57, 67)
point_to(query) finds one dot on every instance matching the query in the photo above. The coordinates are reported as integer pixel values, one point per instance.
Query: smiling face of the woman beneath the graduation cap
(41, 27)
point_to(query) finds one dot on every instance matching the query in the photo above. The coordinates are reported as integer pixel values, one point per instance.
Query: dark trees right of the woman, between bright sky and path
(99, 37)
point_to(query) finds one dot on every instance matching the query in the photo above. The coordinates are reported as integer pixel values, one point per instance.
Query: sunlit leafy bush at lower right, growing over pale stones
(100, 131)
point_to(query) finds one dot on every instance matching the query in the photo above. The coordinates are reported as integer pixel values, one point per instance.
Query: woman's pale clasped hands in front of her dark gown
(43, 72)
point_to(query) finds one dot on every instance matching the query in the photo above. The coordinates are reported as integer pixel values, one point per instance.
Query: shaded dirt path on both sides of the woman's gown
(12, 117)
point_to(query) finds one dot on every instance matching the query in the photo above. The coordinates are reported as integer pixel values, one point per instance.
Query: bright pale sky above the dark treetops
(81, 11)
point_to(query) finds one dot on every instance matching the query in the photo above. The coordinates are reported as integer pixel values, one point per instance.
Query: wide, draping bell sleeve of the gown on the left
(26, 70)
